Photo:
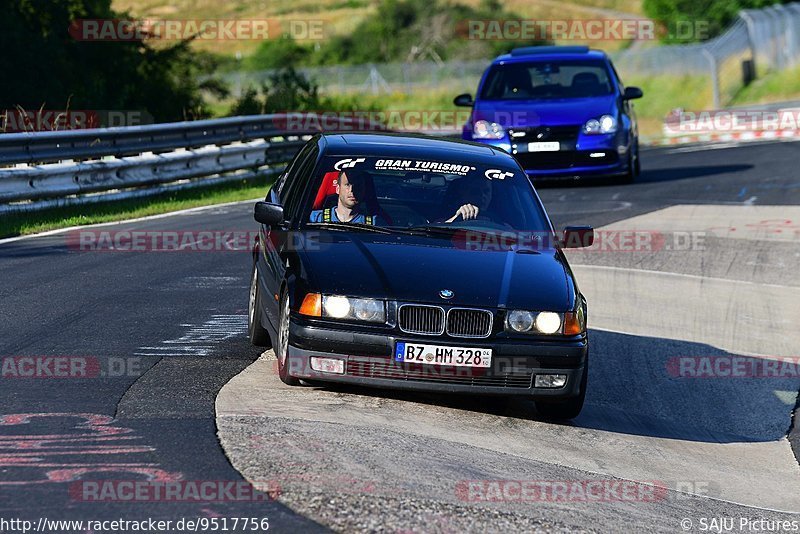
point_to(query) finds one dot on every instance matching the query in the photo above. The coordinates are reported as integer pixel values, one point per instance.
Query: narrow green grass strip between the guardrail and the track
(51, 219)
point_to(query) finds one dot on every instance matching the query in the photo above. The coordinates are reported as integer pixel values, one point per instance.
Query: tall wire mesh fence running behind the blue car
(759, 41)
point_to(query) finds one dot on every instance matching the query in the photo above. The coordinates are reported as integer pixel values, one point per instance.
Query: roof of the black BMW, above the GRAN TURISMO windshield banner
(390, 145)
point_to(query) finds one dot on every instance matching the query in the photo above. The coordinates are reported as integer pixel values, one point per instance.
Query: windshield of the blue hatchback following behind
(542, 80)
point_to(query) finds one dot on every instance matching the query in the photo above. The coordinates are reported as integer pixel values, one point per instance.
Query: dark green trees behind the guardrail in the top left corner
(44, 66)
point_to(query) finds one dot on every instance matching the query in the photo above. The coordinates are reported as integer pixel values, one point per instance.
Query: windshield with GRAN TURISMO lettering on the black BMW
(413, 193)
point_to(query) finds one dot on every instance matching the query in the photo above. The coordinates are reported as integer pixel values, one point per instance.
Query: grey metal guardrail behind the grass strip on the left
(49, 169)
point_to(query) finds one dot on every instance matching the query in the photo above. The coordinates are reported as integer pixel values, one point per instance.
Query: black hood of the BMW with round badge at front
(417, 268)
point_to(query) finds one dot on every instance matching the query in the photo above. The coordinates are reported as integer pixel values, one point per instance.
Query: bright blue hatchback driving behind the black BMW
(561, 111)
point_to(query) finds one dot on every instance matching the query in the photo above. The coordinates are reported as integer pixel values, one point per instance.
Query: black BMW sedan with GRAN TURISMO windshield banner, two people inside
(407, 262)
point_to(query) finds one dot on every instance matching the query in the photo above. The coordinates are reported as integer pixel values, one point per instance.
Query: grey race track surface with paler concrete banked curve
(175, 392)
